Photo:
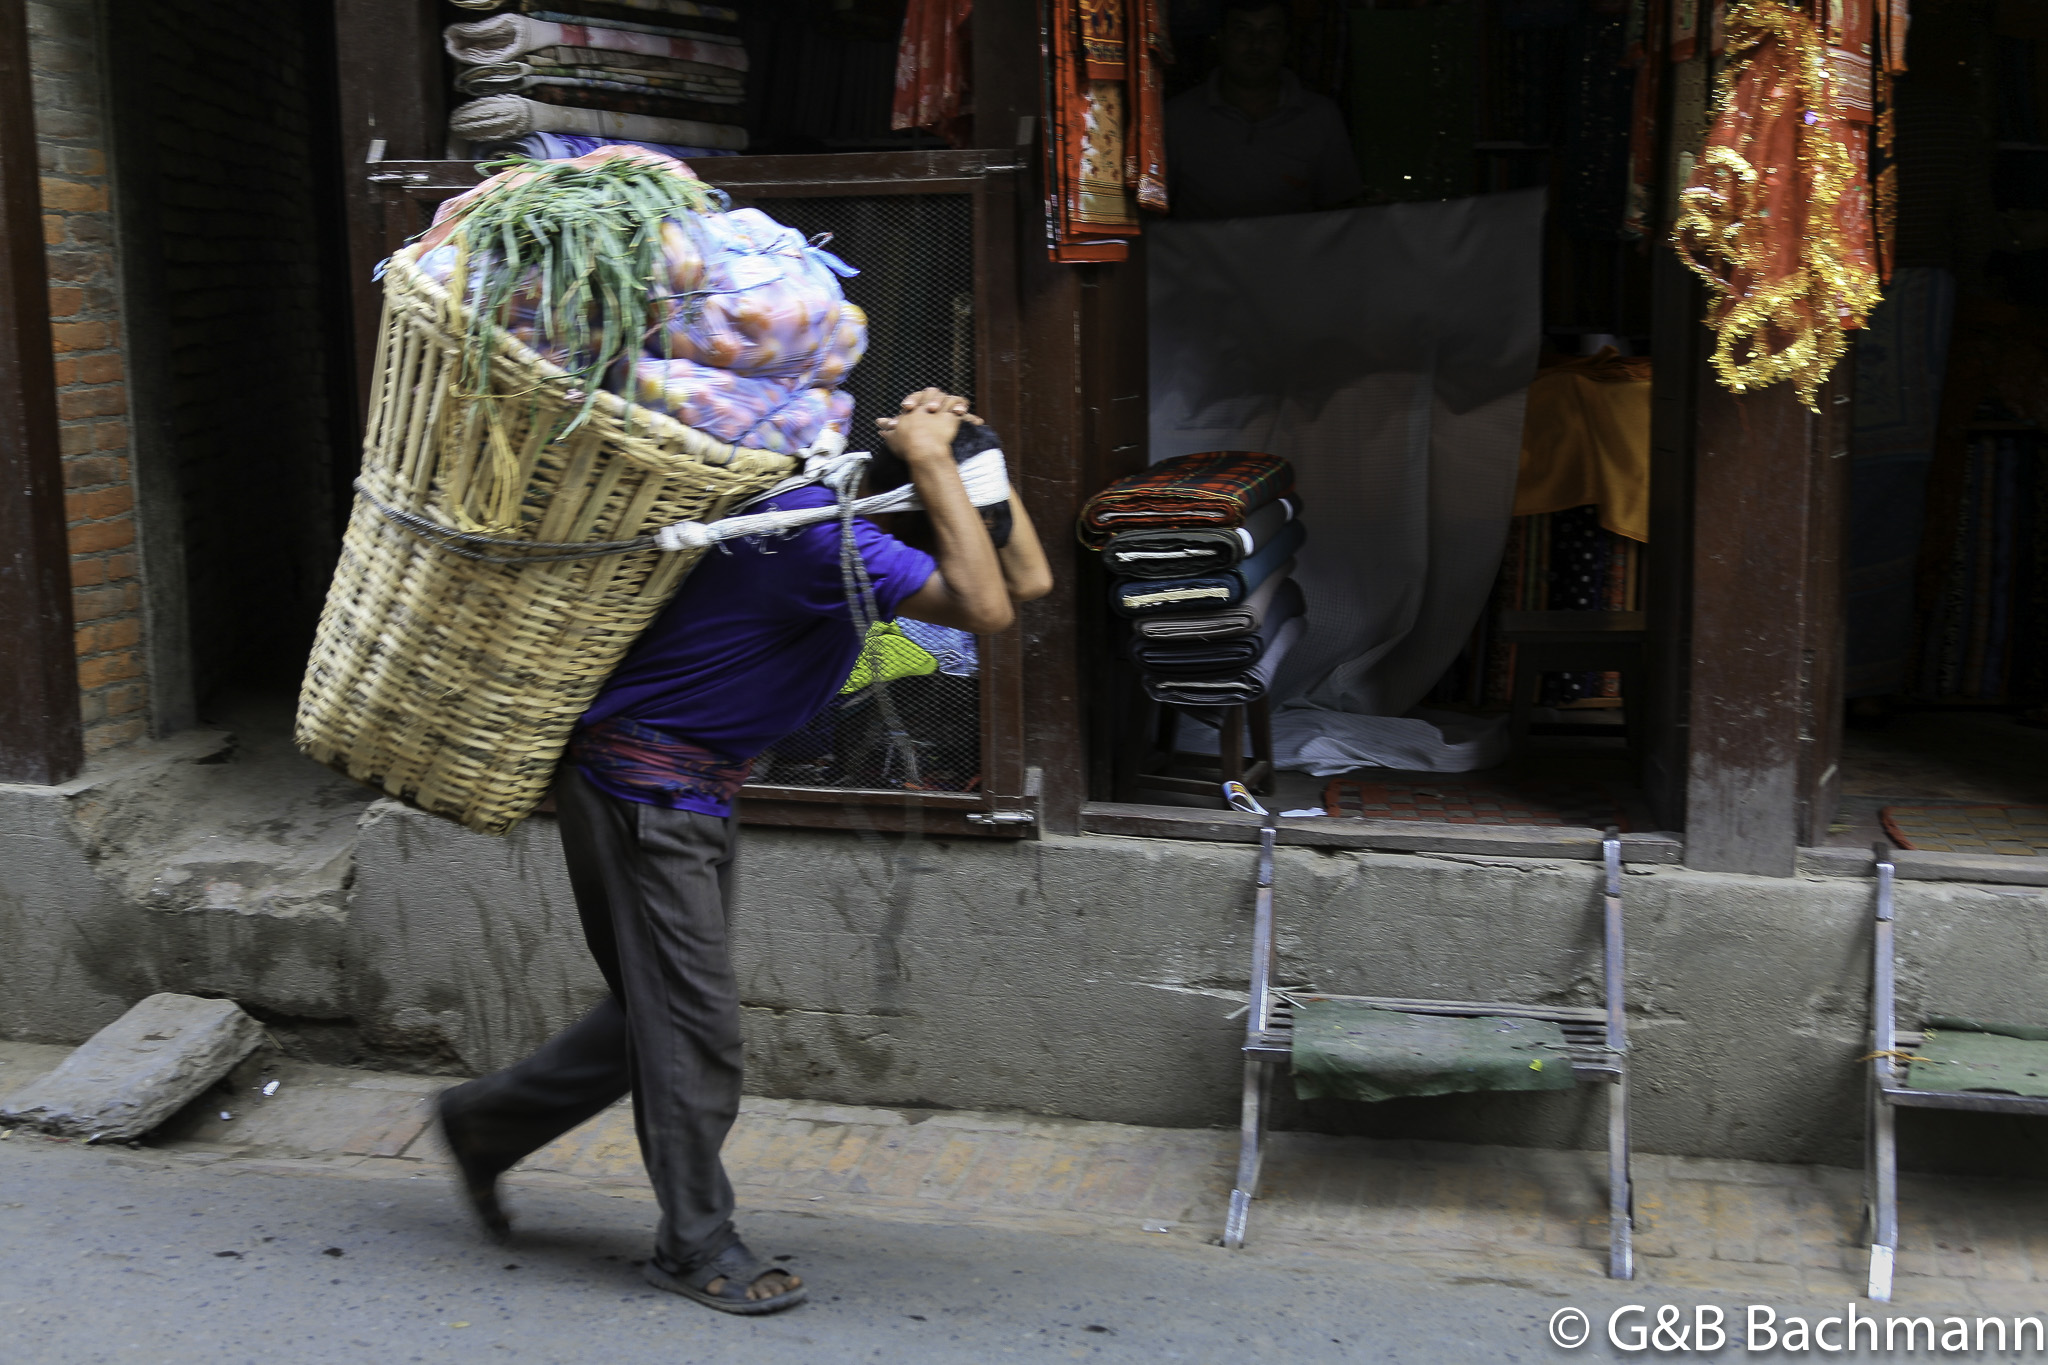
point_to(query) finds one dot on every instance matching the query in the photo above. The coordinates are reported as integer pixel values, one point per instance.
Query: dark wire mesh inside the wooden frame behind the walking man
(921, 725)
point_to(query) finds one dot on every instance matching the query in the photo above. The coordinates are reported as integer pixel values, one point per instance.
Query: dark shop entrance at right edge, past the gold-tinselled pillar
(1947, 666)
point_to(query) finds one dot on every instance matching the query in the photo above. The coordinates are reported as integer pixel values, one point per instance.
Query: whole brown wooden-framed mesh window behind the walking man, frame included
(935, 240)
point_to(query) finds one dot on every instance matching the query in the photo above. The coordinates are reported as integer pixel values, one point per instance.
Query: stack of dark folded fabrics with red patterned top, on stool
(1203, 552)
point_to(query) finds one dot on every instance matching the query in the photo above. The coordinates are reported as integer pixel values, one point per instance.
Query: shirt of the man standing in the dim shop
(1224, 167)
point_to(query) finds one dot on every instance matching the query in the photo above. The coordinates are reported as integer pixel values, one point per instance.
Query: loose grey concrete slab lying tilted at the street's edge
(138, 1071)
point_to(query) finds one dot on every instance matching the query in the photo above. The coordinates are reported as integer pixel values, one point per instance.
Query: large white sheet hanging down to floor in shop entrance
(1385, 353)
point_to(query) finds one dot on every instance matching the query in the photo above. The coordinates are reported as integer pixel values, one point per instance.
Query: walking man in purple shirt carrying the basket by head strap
(753, 648)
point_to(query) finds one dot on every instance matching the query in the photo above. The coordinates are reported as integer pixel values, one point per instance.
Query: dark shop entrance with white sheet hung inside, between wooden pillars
(1519, 648)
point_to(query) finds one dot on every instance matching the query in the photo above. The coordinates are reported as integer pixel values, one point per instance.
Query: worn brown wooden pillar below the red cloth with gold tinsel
(1766, 627)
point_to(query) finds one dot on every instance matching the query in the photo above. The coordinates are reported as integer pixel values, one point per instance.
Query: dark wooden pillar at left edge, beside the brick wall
(40, 736)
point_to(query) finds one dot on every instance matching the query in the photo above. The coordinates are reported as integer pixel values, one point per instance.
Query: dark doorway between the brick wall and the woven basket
(230, 238)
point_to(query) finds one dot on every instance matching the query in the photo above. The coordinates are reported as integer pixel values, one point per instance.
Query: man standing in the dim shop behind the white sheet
(1250, 142)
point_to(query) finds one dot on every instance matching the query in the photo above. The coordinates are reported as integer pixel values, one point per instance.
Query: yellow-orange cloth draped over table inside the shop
(1586, 439)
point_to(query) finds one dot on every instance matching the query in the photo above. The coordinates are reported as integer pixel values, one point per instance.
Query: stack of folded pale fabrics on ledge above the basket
(654, 73)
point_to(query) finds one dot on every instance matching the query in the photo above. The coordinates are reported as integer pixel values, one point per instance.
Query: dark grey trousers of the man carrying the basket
(654, 891)
